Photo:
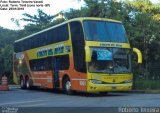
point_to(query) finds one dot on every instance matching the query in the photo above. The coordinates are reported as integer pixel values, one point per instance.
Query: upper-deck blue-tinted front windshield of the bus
(104, 31)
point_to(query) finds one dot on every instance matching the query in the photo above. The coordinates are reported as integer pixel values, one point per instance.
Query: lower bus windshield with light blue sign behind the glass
(110, 60)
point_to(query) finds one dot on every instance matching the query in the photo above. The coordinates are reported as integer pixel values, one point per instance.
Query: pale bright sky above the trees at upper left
(55, 7)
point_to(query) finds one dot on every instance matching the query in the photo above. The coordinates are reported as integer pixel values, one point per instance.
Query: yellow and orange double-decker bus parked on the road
(82, 54)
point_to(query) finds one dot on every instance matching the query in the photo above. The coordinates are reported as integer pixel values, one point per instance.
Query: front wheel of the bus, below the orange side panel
(67, 86)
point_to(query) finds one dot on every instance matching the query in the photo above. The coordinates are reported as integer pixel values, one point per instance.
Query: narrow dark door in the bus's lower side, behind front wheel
(56, 72)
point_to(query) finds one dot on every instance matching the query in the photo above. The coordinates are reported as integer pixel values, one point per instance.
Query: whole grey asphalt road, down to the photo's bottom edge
(49, 101)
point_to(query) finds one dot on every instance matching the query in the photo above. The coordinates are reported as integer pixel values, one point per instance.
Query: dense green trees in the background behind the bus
(141, 19)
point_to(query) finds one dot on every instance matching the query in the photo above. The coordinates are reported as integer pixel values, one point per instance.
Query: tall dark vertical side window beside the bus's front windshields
(78, 46)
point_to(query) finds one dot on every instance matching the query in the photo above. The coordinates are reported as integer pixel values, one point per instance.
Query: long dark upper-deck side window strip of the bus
(54, 35)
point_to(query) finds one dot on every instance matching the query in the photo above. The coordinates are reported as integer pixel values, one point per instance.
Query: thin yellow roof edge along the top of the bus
(75, 19)
